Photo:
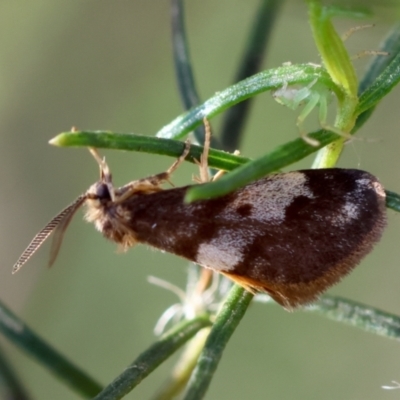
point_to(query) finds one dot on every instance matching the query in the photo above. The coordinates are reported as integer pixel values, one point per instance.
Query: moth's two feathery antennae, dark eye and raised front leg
(101, 192)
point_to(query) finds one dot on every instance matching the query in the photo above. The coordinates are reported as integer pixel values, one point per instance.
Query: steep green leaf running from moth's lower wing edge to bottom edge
(227, 320)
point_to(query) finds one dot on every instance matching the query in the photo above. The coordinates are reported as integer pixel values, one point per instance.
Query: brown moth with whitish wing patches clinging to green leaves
(292, 235)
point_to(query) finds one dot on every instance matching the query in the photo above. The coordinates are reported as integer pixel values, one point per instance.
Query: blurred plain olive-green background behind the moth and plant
(108, 65)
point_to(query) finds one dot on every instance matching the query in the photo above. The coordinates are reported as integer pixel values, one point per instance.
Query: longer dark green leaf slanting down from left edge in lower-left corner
(23, 337)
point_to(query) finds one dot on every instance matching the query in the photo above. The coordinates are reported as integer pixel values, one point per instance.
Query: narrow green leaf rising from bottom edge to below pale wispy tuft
(149, 360)
